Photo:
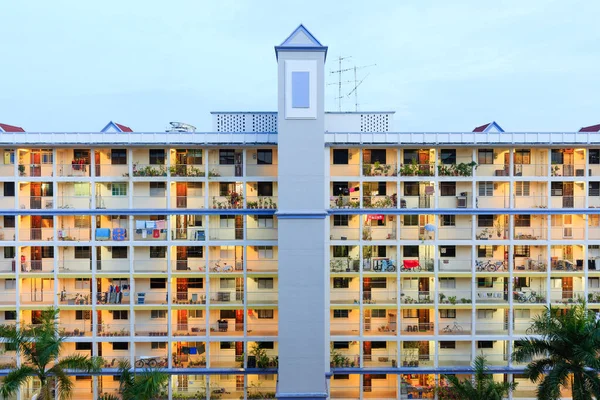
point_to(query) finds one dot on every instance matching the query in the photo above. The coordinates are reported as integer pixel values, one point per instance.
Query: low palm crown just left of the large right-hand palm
(482, 387)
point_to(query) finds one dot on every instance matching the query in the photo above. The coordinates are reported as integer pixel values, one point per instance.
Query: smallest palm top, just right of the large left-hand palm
(146, 385)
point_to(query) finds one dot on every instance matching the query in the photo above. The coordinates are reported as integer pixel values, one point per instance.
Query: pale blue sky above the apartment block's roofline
(441, 65)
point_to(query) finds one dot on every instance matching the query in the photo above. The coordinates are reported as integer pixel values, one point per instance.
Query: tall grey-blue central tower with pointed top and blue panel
(303, 289)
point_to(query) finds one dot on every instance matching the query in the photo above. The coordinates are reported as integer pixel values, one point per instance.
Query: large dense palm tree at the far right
(565, 354)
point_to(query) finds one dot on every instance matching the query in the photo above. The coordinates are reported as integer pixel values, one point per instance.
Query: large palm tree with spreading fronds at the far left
(40, 347)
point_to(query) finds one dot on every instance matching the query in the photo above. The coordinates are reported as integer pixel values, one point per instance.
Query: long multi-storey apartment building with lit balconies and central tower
(306, 253)
